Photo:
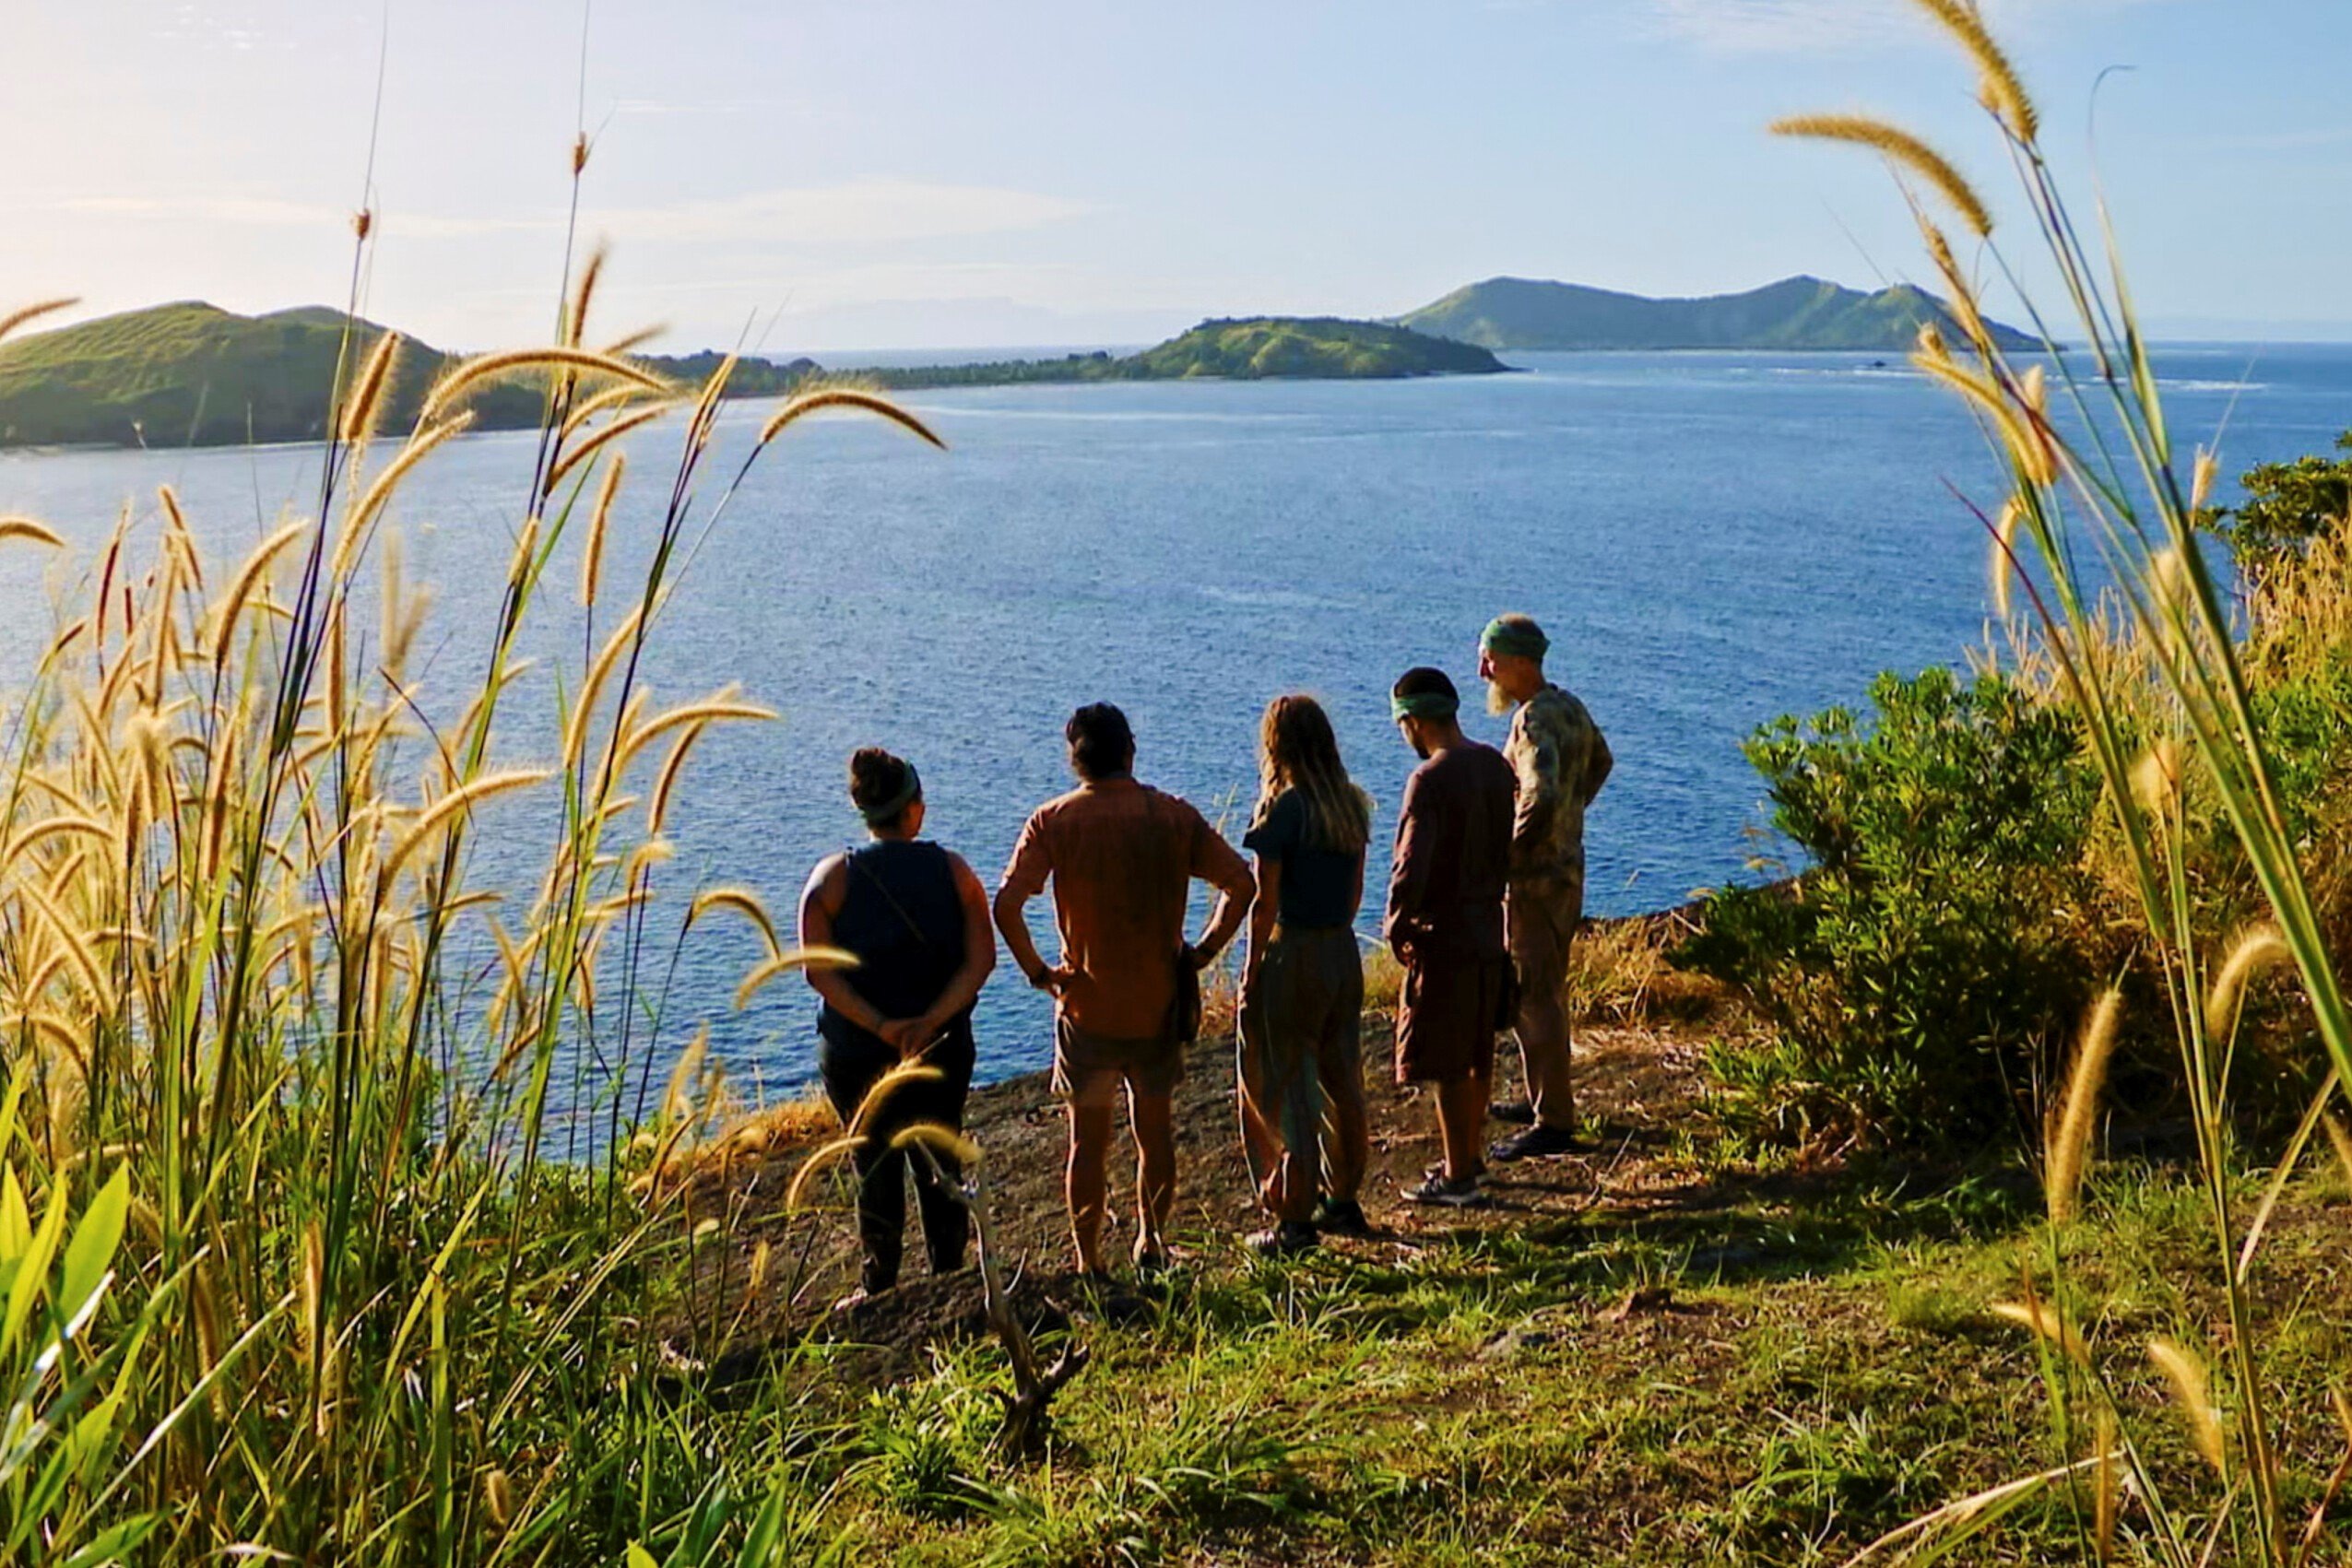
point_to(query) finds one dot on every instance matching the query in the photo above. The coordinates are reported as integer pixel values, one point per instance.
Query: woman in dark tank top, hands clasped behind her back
(918, 923)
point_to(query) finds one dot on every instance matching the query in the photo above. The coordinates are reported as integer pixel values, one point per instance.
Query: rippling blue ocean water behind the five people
(1711, 542)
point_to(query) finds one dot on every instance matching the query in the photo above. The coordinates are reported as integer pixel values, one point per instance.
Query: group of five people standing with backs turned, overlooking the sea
(1483, 904)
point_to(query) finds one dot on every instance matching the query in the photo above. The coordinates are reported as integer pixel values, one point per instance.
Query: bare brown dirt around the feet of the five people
(1633, 1090)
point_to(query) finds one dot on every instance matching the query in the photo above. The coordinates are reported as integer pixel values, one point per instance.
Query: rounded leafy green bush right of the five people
(1930, 960)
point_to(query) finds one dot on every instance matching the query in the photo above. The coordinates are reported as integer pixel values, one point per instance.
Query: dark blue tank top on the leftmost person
(904, 918)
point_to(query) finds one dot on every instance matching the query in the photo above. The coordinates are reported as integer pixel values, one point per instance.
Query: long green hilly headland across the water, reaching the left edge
(194, 375)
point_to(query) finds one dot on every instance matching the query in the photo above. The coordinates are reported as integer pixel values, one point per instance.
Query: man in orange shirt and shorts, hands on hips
(1123, 859)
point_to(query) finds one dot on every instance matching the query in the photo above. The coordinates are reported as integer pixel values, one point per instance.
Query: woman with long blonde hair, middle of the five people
(1299, 1057)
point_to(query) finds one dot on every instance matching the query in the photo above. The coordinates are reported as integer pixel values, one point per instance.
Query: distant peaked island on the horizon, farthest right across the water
(1796, 314)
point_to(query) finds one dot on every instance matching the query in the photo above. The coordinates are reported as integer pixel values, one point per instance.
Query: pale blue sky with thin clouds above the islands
(829, 175)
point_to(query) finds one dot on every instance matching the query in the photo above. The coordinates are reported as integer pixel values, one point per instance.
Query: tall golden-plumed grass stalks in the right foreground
(2099, 530)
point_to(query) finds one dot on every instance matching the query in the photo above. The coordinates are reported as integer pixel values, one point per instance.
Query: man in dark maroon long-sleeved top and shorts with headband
(1445, 925)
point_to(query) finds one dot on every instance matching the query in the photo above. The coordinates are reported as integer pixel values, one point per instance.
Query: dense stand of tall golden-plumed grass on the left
(338, 1296)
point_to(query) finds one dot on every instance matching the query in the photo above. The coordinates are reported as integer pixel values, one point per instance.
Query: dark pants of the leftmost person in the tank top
(850, 1071)
